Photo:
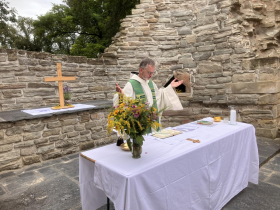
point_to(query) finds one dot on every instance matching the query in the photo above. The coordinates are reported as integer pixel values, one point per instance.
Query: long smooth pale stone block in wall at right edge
(254, 87)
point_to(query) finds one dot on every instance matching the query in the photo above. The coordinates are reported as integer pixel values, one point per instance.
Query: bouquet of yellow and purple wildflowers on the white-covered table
(133, 117)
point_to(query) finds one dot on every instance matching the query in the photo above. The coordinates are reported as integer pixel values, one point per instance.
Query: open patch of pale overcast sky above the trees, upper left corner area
(32, 8)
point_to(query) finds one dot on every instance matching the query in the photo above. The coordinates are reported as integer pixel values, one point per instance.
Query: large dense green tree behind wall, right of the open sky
(82, 27)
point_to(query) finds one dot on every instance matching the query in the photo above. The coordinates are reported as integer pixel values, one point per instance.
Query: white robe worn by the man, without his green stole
(166, 97)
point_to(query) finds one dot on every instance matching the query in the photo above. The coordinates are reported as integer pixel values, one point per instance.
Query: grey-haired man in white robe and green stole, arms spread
(141, 86)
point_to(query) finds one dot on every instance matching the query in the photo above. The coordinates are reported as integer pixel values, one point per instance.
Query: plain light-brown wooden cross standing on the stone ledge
(60, 80)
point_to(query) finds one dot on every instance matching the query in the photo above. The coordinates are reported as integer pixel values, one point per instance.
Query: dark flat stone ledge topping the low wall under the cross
(16, 115)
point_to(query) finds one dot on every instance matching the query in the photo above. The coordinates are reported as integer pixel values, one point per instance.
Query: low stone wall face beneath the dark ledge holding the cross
(31, 141)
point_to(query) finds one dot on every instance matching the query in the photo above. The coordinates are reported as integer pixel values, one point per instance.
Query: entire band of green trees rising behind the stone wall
(78, 27)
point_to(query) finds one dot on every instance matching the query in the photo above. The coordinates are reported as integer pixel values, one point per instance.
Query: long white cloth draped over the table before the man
(186, 175)
